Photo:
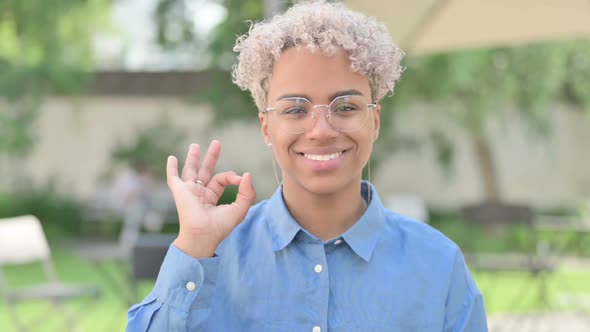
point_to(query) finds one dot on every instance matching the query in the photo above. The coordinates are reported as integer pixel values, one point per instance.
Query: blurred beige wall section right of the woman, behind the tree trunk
(547, 172)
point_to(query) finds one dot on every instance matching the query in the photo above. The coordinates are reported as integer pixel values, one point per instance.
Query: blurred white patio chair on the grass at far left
(22, 241)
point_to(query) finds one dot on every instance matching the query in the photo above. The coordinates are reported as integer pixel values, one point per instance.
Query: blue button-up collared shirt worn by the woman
(386, 273)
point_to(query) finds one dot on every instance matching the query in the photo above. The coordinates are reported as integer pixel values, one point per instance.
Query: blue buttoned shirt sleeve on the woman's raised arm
(183, 292)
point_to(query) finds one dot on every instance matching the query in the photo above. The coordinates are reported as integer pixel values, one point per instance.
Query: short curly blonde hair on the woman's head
(323, 26)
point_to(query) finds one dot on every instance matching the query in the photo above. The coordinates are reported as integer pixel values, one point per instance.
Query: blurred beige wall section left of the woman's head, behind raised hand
(76, 137)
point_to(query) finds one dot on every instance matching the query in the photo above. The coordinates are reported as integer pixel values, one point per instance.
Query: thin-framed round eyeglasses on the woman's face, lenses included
(295, 115)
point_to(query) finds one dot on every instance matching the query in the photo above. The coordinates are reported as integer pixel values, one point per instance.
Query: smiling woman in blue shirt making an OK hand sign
(322, 254)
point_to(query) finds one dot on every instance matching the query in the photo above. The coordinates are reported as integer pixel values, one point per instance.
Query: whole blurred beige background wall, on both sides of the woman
(76, 139)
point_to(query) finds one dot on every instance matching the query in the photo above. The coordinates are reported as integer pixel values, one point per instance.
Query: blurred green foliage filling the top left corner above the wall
(44, 48)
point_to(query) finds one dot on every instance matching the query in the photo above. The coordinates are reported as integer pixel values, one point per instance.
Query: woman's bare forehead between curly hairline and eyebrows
(299, 71)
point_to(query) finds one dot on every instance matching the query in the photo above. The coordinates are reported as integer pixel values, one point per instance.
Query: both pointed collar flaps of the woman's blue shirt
(362, 237)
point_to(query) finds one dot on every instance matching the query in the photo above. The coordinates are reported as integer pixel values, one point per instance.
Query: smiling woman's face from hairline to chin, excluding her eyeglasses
(322, 160)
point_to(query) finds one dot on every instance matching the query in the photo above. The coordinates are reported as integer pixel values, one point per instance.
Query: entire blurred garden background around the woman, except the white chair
(486, 138)
